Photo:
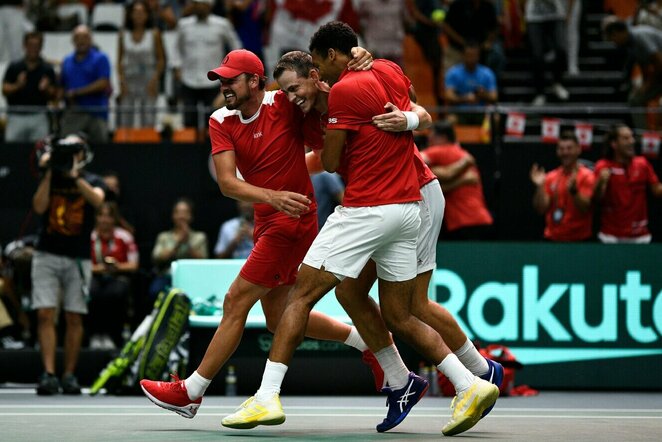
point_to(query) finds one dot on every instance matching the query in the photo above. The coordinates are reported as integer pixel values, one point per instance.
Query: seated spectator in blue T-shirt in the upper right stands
(470, 84)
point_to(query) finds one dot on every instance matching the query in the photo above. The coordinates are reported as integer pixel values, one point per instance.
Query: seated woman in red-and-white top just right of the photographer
(114, 257)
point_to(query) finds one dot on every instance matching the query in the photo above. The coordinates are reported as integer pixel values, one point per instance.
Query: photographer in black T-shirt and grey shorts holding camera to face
(66, 198)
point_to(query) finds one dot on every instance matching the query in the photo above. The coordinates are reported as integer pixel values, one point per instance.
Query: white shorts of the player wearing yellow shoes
(353, 235)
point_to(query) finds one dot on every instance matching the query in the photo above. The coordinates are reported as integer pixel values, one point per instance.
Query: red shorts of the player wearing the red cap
(280, 245)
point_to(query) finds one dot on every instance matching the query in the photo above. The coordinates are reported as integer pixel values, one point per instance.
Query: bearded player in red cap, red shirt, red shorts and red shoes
(260, 134)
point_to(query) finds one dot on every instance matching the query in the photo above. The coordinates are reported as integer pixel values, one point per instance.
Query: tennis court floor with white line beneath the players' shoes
(550, 416)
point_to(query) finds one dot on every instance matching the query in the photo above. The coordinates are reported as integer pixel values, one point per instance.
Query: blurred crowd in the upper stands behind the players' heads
(149, 70)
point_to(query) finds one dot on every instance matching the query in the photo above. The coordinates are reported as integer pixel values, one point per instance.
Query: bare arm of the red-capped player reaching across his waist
(290, 203)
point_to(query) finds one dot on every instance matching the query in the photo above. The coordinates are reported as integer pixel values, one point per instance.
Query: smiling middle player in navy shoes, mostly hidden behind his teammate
(299, 79)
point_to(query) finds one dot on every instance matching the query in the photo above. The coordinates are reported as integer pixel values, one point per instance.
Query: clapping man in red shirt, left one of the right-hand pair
(564, 194)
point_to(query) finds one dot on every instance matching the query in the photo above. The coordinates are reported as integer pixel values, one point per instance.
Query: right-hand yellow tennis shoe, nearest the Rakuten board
(469, 405)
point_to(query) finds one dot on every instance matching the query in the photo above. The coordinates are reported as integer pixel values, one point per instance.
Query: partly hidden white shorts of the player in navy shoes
(432, 207)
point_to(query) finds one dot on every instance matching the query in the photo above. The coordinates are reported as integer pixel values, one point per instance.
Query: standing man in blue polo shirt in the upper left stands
(85, 80)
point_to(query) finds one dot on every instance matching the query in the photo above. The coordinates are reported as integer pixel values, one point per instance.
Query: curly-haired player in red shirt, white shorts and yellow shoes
(379, 220)
